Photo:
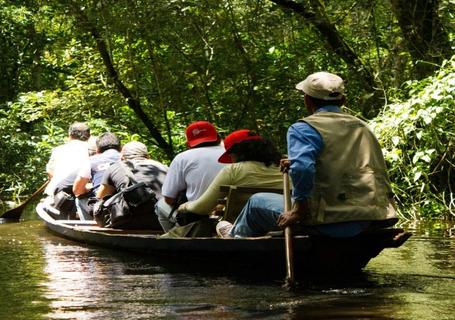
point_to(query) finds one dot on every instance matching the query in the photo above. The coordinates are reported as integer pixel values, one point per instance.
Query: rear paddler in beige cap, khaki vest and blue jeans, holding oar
(340, 182)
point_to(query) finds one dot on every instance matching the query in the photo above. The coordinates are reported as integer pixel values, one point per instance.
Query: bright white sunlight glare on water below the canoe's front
(84, 284)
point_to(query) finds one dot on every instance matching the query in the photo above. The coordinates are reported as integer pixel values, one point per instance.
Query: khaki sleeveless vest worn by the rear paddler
(351, 181)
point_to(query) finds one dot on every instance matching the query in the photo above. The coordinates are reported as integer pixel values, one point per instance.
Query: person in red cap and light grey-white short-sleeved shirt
(191, 171)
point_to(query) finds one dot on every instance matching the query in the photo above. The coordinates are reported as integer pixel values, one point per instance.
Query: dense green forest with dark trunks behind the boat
(145, 69)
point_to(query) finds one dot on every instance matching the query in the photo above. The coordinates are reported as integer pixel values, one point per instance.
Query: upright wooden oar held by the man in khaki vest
(290, 279)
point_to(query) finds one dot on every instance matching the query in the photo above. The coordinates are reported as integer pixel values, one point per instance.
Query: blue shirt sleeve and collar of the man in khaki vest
(304, 146)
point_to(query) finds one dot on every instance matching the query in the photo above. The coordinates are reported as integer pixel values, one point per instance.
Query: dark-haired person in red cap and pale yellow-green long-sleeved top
(252, 161)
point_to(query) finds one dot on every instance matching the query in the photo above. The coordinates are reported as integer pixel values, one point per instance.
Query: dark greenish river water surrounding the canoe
(46, 277)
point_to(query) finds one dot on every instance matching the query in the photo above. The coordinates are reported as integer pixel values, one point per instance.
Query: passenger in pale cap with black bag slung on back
(135, 164)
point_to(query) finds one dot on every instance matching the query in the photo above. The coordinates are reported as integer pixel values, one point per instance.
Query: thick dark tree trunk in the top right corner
(424, 35)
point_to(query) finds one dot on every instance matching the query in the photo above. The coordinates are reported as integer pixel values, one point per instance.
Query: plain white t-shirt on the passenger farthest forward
(65, 160)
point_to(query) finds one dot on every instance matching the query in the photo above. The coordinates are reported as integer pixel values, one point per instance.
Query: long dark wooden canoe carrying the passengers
(311, 253)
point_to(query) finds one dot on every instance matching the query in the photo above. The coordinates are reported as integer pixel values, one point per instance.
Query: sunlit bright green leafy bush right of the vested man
(417, 135)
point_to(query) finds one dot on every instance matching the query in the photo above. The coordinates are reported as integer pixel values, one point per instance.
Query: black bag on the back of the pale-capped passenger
(131, 208)
